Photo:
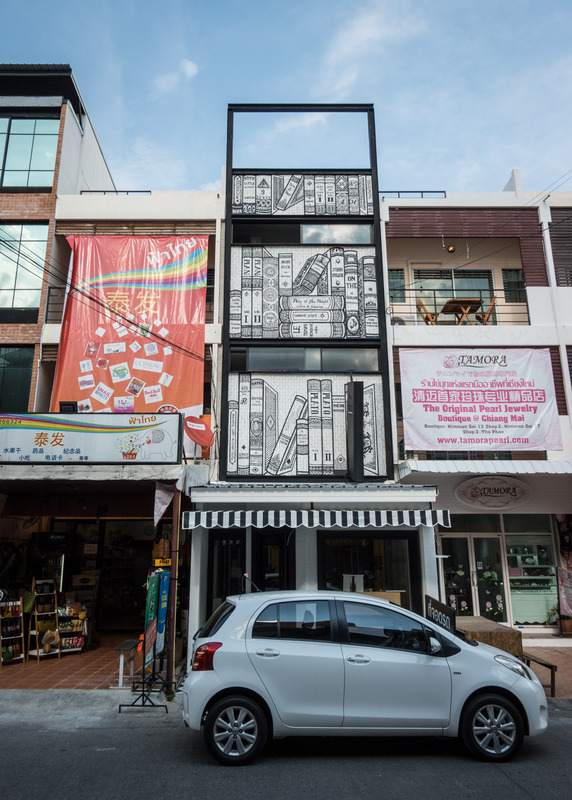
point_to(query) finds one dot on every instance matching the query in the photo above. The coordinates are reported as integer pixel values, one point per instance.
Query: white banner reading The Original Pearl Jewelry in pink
(471, 399)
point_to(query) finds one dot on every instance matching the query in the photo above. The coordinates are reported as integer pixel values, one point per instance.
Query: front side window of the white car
(382, 627)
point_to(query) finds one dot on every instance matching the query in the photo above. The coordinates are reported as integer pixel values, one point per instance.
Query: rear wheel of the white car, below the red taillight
(235, 730)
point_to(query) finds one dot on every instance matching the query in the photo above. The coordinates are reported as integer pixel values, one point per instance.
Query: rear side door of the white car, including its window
(292, 650)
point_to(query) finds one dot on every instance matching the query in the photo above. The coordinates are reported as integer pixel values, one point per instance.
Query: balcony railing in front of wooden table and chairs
(463, 307)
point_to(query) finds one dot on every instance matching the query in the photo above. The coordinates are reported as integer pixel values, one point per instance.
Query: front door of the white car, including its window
(391, 678)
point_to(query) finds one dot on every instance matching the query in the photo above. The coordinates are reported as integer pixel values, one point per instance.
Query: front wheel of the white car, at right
(492, 728)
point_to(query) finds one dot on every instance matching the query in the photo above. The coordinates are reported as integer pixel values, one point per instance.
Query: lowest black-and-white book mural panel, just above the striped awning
(292, 425)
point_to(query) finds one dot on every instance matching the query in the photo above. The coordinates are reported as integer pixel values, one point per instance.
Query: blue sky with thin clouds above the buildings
(463, 91)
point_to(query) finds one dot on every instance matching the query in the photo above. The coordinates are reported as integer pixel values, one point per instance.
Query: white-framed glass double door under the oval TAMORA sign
(473, 576)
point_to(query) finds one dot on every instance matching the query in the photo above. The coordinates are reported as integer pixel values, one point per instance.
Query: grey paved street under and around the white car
(71, 745)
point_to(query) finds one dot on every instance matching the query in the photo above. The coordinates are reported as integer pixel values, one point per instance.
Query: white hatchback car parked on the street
(277, 664)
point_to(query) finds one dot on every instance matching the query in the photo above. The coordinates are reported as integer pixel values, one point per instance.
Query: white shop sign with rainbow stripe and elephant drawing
(94, 438)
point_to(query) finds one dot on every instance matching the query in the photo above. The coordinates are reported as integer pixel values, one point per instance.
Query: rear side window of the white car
(307, 621)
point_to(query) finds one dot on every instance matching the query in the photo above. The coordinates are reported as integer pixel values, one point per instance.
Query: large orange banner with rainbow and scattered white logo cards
(133, 330)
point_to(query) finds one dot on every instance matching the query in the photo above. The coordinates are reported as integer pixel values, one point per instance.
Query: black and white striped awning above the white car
(412, 518)
